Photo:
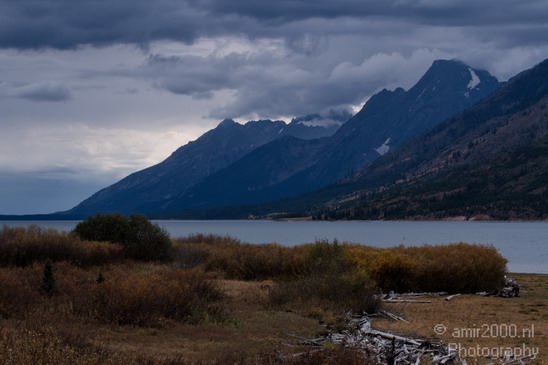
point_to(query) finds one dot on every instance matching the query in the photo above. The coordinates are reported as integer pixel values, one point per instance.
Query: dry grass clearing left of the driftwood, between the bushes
(254, 330)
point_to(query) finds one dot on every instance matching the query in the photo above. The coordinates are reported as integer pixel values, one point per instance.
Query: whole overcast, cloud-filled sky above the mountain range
(93, 90)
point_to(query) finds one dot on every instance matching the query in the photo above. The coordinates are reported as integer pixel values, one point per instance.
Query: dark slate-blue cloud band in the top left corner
(65, 24)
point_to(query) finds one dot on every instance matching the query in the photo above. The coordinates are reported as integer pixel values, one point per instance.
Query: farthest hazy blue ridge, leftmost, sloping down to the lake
(152, 188)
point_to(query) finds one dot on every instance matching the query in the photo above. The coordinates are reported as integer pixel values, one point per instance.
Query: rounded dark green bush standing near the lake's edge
(140, 239)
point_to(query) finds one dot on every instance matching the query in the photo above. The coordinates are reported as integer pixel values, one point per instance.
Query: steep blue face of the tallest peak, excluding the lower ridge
(391, 118)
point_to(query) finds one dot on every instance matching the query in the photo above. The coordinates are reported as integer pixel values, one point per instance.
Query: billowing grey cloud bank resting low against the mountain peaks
(271, 83)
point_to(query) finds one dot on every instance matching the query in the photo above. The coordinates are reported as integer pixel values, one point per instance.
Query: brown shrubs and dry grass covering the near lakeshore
(218, 301)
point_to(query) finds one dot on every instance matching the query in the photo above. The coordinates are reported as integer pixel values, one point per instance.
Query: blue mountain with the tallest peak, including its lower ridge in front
(388, 119)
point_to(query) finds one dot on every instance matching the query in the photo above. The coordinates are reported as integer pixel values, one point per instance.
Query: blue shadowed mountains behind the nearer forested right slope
(263, 161)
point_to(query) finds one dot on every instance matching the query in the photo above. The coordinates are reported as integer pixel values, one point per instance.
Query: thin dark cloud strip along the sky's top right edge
(445, 12)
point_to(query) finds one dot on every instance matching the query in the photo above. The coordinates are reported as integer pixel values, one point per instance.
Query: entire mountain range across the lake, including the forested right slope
(457, 145)
